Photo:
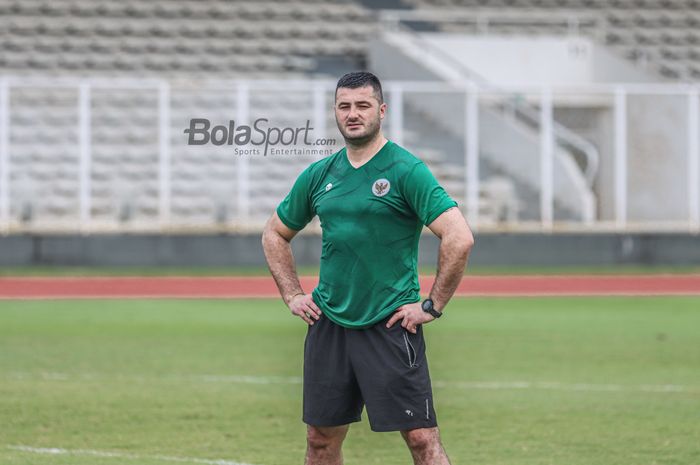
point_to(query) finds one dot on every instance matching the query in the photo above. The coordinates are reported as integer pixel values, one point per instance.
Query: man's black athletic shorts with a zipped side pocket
(384, 368)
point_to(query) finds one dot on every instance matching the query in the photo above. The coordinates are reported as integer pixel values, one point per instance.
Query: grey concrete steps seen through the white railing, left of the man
(44, 147)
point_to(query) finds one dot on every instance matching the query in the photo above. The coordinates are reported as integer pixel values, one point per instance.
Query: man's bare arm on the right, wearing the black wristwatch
(456, 241)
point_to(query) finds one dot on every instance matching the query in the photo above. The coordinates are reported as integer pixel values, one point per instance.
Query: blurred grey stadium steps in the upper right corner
(658, 35)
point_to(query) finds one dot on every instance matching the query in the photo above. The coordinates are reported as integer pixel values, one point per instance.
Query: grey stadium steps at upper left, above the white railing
(178, 38)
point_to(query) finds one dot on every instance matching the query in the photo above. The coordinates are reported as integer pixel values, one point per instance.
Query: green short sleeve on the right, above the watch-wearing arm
(426, 197)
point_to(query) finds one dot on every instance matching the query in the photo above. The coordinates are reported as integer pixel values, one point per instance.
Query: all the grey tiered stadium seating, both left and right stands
(189, 42)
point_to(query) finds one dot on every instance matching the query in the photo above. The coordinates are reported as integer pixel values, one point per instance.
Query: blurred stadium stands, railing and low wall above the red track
(539, 117)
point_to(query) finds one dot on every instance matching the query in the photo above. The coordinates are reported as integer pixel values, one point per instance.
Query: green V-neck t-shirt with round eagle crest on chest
(371, 219)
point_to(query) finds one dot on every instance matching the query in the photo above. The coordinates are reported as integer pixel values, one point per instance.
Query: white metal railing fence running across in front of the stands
(248, 205)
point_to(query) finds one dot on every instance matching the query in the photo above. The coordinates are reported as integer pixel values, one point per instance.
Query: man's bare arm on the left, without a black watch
(278, 253)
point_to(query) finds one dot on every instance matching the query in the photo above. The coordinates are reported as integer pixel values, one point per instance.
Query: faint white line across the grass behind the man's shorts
(288, 380)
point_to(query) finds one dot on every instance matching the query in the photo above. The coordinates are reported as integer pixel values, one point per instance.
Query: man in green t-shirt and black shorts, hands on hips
(373, 198)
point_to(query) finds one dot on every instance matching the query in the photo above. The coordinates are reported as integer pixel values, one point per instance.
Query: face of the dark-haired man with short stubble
(358, 114)
